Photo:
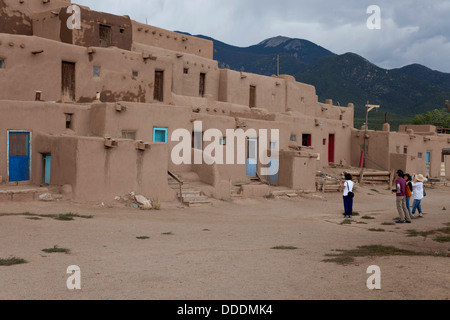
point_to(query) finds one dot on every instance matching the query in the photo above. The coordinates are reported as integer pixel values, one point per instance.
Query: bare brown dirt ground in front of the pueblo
(224, 251)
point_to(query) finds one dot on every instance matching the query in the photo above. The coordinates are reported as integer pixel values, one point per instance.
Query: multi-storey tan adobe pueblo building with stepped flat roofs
(93, 109)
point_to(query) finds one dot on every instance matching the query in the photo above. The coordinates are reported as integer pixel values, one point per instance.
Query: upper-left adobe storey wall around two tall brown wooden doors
(42, 71)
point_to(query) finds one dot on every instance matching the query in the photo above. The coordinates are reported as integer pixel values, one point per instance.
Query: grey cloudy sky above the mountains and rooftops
(412, 31)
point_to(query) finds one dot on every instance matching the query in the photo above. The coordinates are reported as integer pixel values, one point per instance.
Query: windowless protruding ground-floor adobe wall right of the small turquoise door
(105, 173)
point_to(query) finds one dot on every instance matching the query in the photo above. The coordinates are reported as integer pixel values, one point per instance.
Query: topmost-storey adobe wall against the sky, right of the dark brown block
(157, 37)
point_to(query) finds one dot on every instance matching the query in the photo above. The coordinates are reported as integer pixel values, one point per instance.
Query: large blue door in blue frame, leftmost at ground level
(18, 156)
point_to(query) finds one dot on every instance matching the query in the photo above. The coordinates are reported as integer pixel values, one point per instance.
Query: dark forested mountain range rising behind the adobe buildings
(402, 93)
